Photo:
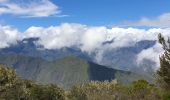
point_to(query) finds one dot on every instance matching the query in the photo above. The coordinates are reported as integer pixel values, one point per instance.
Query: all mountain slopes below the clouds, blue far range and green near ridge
(68, 66)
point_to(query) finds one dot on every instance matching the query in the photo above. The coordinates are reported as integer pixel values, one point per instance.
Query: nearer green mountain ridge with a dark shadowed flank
(66, 71)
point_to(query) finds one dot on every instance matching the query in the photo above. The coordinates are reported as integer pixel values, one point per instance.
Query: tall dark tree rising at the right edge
(164, 71)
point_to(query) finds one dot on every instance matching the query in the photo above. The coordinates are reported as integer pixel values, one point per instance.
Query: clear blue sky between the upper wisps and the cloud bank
(89, 12)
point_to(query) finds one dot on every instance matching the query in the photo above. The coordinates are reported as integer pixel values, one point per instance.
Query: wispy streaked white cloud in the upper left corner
(30, 8)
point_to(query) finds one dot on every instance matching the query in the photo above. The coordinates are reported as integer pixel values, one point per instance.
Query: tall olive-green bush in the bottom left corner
(11, 86)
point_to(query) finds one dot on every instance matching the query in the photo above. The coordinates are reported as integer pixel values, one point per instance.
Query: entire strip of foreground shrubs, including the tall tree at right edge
(13, 87)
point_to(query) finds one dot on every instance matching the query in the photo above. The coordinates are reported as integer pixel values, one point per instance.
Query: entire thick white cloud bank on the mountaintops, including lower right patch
(87, 38)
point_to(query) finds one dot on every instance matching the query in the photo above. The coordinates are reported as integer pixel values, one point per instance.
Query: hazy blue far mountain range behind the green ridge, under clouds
(120, 58)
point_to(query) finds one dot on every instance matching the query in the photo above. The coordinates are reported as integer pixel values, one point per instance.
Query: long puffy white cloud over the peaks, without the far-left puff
(89, 38)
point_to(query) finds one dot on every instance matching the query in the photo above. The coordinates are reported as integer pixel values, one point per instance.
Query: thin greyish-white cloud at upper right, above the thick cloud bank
(160, 21)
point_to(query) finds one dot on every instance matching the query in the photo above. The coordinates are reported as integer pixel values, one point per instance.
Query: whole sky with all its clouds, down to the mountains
(86, 24)
